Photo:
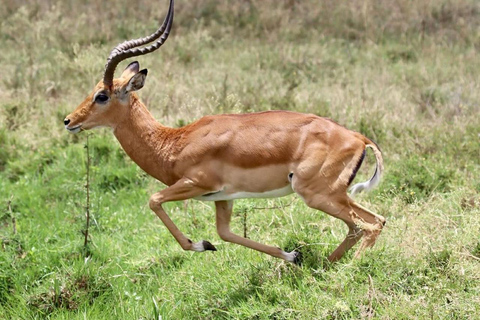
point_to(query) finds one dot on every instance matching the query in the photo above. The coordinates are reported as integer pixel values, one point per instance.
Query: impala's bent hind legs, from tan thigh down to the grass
(322, 182)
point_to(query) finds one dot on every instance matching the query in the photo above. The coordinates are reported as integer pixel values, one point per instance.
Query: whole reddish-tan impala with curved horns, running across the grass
(221, 158)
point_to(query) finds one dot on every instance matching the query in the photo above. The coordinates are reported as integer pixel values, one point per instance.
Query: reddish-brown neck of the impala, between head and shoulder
(146, 141)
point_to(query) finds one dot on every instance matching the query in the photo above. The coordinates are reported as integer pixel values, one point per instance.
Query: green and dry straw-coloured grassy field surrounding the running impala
(404, 73)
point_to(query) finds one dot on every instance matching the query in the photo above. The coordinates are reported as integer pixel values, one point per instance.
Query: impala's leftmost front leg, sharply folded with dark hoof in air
(181, 190)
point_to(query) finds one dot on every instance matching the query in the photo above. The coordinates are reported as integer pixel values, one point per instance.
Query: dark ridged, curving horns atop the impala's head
(129, 48)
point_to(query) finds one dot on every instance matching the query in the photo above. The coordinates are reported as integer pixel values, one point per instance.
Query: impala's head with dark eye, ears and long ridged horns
(110, 97)
